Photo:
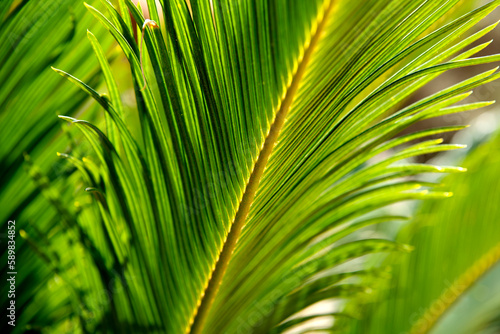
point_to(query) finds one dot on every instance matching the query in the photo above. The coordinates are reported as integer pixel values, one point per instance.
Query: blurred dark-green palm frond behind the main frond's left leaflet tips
(33, 36)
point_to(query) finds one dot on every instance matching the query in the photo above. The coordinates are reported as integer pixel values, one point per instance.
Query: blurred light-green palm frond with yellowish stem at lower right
(430, 282)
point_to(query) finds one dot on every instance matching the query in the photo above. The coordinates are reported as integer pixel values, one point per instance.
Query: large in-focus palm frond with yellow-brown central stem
(262, 135)
